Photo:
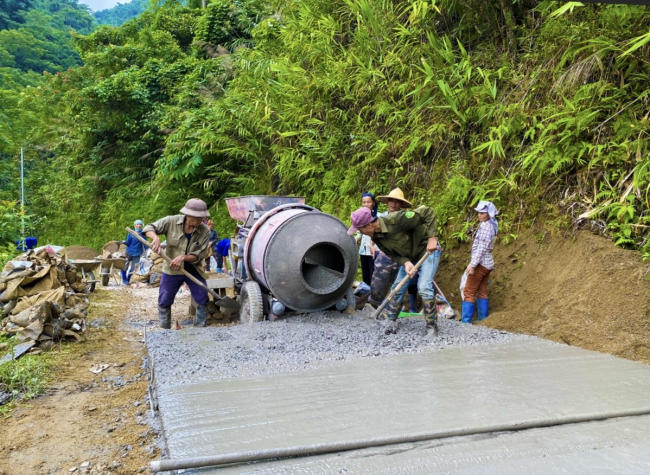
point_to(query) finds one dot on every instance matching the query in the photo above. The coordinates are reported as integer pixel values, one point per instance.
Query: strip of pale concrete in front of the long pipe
(617, 446)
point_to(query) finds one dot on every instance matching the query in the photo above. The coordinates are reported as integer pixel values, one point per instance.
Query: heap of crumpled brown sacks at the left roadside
(43, 298)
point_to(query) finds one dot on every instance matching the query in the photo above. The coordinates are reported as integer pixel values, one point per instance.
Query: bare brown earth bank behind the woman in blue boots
(582, 291)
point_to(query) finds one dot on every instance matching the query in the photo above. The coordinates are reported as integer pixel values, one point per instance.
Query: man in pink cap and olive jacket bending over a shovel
(405, 237)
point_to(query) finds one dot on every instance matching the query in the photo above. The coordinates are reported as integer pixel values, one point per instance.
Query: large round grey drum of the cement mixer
(304, 257)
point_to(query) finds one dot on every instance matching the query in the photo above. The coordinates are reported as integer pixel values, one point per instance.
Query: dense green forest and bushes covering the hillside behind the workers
(539, 106)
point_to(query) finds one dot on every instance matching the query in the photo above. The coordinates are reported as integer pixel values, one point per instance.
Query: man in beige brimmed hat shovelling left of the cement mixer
(187, 242)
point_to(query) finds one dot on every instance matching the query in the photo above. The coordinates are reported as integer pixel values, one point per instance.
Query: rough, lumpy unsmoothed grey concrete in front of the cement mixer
(297, 343)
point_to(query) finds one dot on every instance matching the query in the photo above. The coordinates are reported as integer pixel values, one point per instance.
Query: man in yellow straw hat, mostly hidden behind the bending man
(385, 268)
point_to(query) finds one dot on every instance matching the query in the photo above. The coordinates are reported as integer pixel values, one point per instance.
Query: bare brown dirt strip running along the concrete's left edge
(101, 419)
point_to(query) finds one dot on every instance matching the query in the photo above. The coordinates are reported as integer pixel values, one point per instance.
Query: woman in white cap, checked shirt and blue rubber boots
(482, 263)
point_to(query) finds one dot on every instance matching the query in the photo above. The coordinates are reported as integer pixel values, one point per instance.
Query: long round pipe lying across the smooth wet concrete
(332, 447)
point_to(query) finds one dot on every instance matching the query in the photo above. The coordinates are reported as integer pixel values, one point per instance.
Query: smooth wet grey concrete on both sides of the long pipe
(406, 394)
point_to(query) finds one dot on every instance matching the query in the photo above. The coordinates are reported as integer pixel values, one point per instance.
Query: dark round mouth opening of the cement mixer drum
(323, 268)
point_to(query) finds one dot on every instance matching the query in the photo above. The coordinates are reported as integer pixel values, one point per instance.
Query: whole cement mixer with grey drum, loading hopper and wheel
(288, 256)
